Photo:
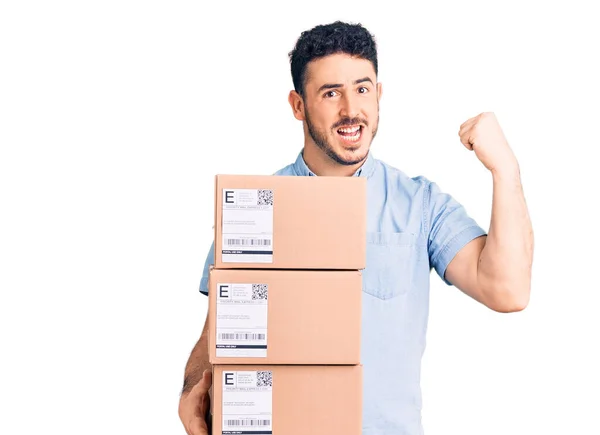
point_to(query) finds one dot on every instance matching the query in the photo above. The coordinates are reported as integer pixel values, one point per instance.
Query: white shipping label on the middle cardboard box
(241, 324)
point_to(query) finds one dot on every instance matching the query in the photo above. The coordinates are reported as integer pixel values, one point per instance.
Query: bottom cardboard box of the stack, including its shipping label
(291, 400)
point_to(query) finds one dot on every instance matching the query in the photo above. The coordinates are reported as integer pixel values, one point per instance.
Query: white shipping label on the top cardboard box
(247, 226)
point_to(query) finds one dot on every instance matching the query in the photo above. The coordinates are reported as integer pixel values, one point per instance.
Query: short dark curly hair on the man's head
(326, 39)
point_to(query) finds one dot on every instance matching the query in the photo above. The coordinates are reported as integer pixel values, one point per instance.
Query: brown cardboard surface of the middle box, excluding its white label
(313, 316)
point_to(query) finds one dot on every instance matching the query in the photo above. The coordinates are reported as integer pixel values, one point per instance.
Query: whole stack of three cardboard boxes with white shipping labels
(285, 305)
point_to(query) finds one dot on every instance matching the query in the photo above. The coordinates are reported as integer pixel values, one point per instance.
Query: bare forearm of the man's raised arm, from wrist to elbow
(504, 270)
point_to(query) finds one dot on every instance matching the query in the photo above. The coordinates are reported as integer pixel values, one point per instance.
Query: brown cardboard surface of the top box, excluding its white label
(318, 222)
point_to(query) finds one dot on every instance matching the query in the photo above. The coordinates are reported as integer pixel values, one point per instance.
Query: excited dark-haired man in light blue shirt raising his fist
(412, 227)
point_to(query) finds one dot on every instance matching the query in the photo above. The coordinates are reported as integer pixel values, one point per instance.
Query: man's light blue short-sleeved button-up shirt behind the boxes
(412, 227)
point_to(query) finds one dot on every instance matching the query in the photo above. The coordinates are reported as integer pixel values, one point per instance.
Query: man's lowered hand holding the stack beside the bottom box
(194, 406)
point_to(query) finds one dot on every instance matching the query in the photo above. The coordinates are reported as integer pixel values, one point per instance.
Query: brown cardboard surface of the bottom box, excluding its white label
(316, 400)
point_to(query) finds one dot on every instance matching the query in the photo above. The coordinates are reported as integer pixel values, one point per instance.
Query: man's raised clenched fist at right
(483, 135)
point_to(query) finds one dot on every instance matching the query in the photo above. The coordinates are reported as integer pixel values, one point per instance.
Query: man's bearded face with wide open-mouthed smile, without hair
(342, 106)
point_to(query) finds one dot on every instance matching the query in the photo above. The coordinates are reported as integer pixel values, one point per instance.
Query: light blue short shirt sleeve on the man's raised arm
(450, 228)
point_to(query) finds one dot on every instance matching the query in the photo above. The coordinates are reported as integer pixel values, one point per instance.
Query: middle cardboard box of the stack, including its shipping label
(267, 316)
